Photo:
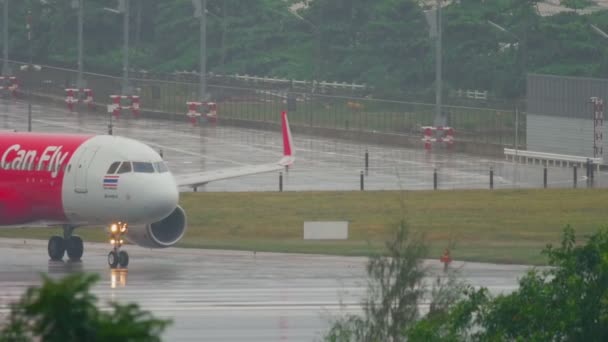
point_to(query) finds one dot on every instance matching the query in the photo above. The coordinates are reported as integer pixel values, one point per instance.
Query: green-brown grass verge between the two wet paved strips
(507, 226)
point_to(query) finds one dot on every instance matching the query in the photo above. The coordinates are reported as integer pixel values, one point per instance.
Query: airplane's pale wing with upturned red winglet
(195, 180)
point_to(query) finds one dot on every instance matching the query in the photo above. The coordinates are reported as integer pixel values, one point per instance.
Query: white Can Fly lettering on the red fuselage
(51, 159)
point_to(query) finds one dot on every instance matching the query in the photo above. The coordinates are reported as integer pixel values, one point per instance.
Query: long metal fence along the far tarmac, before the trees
(312, 109)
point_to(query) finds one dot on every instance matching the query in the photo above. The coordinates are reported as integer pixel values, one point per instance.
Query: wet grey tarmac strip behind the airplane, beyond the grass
(321, 164)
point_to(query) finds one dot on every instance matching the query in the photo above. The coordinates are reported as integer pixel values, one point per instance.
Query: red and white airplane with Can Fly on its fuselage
(90, 180)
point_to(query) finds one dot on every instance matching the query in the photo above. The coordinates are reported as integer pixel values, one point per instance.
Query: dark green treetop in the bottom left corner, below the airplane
(65, 310)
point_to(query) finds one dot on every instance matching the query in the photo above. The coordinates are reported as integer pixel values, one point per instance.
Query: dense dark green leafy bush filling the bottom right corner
(566, 302)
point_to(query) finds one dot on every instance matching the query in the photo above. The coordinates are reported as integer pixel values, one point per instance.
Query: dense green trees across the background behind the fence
(383, 43)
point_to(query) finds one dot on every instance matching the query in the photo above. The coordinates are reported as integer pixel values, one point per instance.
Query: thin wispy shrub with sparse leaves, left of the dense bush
(395, 290)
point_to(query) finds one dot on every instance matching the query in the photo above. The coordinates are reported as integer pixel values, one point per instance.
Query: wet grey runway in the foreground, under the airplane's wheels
(214, 295)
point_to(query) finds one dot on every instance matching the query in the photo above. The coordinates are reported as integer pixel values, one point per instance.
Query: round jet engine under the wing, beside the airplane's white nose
(162, 234)
